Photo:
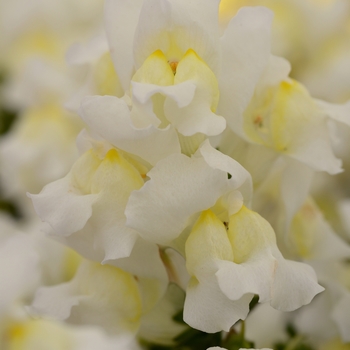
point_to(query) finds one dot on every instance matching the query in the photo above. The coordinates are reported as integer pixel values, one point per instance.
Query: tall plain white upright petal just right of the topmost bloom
(242, 64)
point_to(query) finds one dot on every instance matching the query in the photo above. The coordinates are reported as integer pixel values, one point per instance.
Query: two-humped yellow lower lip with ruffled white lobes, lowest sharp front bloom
(247, 253)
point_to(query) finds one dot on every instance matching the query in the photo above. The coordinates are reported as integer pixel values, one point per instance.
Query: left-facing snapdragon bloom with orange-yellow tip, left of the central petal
(90, 201)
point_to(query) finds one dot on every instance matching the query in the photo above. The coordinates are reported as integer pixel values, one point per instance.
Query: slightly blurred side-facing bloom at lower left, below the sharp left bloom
(94, 290)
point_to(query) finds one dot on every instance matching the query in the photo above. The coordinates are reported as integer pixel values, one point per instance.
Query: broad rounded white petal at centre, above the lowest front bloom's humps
(179, 187)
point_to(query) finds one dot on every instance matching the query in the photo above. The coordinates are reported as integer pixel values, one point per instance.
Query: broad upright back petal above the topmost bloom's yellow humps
(185, 25)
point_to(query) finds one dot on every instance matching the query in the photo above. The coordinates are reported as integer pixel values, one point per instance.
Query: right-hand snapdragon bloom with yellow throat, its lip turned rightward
(282, 116)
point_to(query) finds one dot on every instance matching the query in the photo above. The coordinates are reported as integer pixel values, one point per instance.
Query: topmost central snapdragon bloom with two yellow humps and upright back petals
(173, 56)
